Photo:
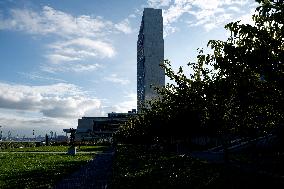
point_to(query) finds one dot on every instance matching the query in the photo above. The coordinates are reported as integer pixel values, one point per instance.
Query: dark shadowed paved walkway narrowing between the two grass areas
(96, 174)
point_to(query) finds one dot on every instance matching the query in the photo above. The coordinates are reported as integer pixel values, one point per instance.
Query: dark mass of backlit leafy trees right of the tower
(241, 94)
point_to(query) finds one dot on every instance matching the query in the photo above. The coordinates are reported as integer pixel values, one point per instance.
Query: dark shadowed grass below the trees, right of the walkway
(137, 167)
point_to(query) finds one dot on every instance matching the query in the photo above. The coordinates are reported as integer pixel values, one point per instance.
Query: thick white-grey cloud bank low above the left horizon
(59, 100)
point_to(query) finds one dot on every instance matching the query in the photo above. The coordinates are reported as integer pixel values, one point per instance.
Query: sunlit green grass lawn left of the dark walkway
(31, 170)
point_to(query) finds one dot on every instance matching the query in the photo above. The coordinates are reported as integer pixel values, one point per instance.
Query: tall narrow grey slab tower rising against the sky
(150, 54)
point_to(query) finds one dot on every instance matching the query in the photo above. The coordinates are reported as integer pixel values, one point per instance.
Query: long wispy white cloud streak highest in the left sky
(51, 21)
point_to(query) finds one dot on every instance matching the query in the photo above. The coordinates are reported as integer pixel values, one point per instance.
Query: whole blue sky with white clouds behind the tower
(61, 60)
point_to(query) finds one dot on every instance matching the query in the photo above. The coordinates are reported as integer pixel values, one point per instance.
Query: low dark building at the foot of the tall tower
(93, 128)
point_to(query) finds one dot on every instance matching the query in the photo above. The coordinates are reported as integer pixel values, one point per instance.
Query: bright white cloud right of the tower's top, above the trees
(206, 13)
